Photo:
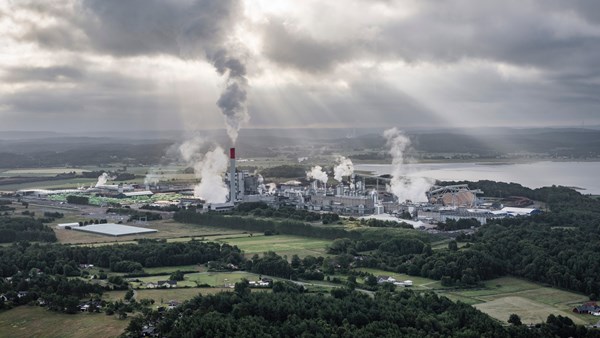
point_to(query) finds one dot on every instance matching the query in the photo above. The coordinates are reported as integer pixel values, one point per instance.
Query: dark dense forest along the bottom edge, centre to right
(289, 313)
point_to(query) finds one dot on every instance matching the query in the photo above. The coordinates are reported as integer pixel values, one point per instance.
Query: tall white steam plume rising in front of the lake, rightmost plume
(404, 187)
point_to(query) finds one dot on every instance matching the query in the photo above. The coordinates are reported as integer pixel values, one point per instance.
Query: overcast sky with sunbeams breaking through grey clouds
(155, 64)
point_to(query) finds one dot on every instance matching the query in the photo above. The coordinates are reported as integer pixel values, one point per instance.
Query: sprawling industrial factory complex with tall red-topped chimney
(353, 194)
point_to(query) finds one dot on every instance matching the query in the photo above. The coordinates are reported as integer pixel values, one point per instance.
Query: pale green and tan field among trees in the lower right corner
(532, 302)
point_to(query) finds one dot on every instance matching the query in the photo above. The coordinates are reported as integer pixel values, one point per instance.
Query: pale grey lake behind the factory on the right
(583, 175)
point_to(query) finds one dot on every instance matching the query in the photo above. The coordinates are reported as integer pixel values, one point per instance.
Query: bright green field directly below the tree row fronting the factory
(281, 244)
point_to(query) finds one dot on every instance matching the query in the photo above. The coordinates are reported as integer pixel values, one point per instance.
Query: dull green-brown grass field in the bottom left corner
(33, 321)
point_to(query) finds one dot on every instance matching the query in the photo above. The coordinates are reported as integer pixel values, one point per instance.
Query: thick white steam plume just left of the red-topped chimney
(209, 168)
